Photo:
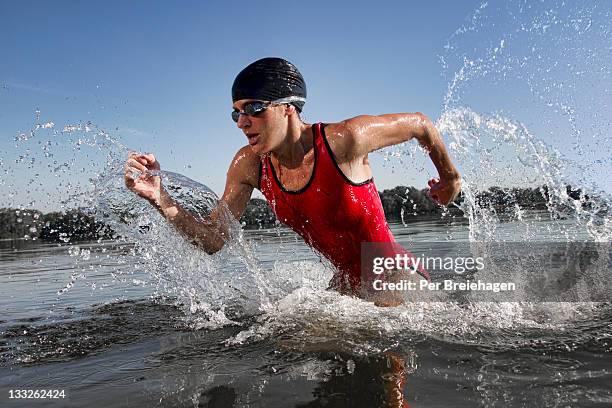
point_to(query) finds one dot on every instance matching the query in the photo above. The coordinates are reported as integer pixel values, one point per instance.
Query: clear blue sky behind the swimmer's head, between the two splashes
(157, 75)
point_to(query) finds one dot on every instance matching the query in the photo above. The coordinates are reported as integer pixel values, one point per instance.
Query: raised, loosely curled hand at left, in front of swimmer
(146, 185)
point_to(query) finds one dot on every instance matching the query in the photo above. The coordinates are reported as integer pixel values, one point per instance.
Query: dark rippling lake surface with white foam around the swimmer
(90, 319)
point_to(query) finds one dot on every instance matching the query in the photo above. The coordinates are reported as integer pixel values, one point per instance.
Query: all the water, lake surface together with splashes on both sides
(147, 319)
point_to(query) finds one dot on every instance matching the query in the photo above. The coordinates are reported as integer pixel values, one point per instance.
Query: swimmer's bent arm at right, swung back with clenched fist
(364, 134)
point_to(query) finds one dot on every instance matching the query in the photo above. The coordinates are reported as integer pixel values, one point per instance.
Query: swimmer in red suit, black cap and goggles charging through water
(316, 177)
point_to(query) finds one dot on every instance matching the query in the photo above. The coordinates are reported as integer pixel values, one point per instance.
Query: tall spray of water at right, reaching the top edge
(525, 108)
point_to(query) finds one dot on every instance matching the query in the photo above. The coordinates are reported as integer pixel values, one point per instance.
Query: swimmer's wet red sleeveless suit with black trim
(332, 214)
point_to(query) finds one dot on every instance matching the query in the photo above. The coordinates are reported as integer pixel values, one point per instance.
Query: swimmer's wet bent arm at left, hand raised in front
(209, 233)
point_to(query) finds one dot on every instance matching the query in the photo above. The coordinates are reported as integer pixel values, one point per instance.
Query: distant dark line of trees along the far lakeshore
(399, 202)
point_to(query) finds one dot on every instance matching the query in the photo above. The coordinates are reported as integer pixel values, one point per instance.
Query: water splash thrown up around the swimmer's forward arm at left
(82, 167)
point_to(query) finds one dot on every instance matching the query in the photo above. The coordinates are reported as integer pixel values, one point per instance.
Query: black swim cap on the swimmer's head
(269, 79)
